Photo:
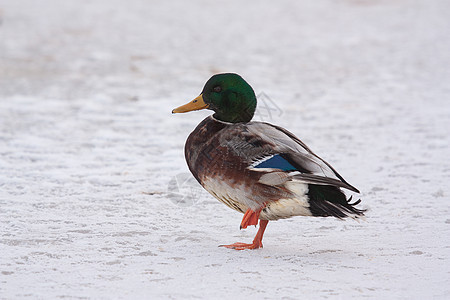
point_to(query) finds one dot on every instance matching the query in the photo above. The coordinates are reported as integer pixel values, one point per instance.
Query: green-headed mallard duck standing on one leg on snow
(256, 168)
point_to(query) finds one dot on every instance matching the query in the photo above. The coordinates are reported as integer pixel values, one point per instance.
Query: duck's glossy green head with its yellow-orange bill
(228, 95)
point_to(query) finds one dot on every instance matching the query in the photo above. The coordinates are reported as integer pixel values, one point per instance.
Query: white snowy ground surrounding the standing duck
(88, 147)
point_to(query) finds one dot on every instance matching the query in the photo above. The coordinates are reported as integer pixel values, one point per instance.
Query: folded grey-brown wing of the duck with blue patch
(258, 142)
